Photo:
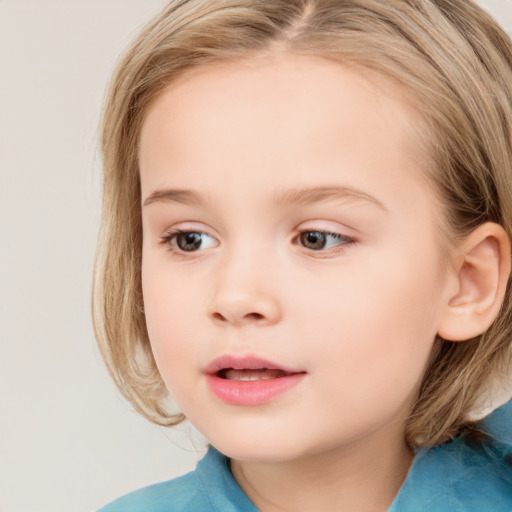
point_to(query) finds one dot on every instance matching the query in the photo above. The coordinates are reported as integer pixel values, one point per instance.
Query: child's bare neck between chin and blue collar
(364, 477)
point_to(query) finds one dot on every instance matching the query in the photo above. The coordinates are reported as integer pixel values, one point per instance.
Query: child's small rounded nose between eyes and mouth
(245, 294)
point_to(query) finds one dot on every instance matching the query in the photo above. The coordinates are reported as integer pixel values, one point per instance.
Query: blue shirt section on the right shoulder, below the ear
(464, 476)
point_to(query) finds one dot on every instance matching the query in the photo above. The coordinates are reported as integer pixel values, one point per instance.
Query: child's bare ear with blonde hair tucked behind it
(481, 273)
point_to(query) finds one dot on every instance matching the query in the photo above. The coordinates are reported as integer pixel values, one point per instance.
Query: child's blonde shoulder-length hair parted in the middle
(452, 58)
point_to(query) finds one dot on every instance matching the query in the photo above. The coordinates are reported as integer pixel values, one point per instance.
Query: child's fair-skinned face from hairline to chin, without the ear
(312, 244)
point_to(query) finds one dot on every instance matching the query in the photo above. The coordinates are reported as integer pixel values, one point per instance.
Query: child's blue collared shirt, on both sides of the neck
(458, 476)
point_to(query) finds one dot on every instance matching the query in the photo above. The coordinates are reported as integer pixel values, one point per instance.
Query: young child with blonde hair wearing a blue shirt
(306, 244)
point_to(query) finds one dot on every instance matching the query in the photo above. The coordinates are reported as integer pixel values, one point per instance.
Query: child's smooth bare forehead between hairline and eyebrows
(278, 118)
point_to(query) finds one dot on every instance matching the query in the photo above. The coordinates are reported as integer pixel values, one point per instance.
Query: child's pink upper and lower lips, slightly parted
(255, 392)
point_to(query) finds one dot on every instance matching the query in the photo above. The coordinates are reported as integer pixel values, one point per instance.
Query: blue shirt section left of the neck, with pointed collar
(209, 488)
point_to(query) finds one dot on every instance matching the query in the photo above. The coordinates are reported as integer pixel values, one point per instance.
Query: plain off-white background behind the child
(68, 443)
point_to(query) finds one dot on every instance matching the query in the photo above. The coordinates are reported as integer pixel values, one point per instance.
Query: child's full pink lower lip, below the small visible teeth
(253, 392)
